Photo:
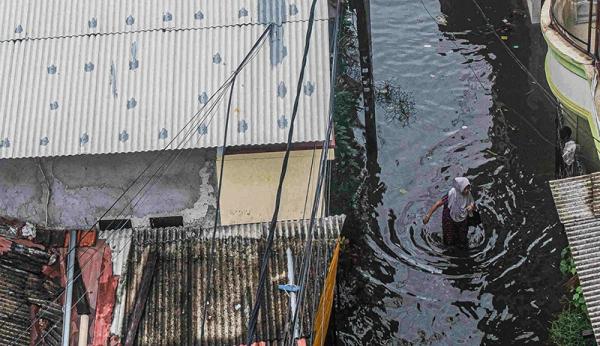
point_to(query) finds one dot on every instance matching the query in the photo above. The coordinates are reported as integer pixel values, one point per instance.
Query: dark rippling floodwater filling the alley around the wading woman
(398, 284)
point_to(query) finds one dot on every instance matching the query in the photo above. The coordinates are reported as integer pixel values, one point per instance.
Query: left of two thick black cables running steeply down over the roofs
(266, 254)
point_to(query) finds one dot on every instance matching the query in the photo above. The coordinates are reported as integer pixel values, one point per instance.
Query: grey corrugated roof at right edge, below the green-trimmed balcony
(575, 200)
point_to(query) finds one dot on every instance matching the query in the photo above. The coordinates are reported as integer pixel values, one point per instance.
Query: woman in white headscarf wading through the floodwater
(458, 207)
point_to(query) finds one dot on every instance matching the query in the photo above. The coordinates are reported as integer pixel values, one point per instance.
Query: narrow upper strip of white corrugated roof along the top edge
(34, 19)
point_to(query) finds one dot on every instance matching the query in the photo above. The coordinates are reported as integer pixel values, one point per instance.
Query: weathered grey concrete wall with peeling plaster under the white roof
(74, 191)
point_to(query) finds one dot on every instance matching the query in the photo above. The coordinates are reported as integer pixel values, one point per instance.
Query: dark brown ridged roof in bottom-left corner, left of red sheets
(23, 289)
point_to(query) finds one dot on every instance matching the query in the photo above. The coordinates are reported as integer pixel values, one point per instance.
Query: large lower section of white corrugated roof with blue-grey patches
(130, 92)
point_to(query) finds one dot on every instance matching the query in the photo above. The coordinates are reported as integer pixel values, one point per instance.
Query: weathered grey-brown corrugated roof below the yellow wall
(173, 310)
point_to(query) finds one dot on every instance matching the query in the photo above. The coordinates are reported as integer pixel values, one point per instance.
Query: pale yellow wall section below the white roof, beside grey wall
(250, 184)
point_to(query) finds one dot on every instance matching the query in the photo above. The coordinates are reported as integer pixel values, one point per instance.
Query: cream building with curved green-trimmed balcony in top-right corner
(569, 29)
